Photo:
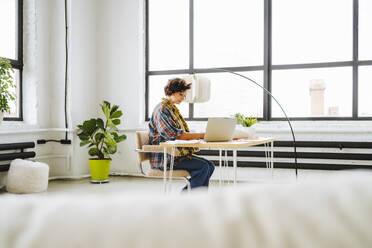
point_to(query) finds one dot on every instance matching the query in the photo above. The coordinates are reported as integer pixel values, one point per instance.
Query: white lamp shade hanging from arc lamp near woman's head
(200, 89)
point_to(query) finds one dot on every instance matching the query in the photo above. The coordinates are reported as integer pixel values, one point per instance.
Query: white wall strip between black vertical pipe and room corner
(82, 86)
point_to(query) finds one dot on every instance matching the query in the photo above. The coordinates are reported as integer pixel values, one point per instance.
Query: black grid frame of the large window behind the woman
(267, 67)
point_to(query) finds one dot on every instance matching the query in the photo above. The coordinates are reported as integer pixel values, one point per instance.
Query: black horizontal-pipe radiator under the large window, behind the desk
(328, 155)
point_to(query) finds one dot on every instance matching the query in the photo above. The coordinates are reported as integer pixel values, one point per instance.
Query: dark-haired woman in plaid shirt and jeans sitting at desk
(168, 124)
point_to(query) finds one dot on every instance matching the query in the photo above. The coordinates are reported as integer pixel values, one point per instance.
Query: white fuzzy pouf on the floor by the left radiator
(27, 177)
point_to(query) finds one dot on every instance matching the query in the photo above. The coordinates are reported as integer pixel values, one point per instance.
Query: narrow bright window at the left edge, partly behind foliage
(11, 43)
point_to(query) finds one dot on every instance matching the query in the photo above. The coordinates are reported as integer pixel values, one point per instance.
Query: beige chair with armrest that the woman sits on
(143, 150)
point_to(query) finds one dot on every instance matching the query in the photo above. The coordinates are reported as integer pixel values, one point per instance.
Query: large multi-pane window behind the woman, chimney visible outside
(313, 55)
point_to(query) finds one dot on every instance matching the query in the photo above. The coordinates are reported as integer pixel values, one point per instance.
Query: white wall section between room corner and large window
(120, 67)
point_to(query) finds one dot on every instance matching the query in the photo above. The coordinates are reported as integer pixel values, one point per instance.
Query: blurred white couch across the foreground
(329, 213)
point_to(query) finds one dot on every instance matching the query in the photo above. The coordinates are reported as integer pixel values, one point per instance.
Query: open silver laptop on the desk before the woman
(220, 129)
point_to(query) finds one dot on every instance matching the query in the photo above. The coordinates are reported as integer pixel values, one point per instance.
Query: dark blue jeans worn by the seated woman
(200, 170)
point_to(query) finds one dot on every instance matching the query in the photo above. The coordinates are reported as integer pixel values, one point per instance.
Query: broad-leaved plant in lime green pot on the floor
(102, 138)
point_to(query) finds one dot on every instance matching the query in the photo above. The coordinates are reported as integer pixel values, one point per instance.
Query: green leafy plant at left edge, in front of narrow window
(6, 86)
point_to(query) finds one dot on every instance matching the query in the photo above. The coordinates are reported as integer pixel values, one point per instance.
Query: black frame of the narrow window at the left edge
(18, 63)
